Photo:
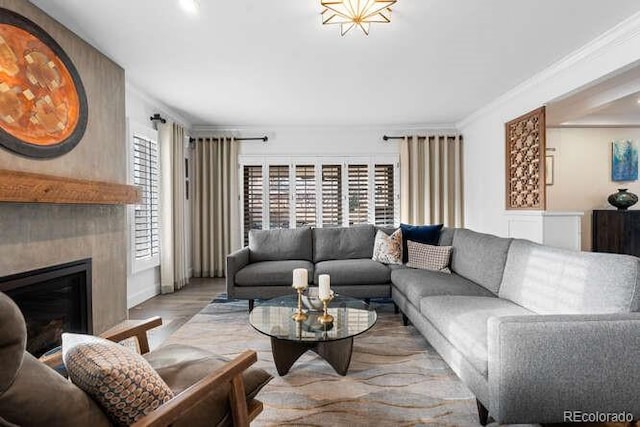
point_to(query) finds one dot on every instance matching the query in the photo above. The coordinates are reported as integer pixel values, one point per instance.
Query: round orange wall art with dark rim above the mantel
(43, 105)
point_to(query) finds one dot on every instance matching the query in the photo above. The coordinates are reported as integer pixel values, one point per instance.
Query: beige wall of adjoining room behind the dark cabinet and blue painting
(582, 171)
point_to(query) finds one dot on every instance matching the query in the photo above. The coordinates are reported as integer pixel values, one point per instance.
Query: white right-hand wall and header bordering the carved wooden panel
(483, 131)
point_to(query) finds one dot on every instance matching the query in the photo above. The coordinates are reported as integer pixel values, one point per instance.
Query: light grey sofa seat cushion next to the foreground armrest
(462, 320)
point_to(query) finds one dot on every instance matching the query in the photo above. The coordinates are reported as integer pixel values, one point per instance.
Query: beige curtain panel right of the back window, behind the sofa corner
(431, 185)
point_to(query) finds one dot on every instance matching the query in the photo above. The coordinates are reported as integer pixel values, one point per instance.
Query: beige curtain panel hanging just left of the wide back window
(215, 205)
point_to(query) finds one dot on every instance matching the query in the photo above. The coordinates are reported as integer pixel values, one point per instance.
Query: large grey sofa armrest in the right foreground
(543, 367)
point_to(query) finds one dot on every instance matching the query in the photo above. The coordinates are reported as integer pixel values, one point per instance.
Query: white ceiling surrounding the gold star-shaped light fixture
(271, 62)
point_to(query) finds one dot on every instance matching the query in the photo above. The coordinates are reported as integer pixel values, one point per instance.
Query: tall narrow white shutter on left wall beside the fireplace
(146, 242)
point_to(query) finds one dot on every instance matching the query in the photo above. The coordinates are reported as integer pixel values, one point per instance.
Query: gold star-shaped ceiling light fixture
(356, 13)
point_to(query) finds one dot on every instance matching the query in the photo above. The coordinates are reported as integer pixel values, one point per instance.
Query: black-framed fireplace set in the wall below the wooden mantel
(53, 300)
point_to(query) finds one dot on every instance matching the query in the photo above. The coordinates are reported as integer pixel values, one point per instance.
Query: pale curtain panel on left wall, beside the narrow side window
(174, 270)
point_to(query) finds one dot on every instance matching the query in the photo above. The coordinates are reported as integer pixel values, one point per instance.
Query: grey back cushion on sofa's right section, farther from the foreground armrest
(480, 257)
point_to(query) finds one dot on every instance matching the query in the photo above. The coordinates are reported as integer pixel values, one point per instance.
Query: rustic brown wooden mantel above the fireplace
(26, 187)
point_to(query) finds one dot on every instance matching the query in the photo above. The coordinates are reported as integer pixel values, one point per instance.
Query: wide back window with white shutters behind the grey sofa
(320, 192)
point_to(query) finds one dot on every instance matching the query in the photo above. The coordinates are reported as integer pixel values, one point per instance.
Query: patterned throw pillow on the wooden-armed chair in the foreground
(121, 380)
